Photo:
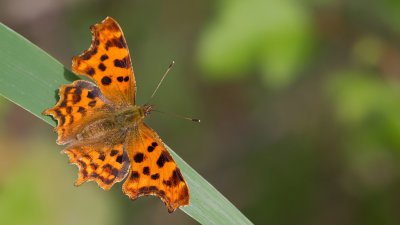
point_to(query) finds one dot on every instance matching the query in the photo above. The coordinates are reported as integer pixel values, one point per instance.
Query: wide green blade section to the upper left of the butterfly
(29, 77)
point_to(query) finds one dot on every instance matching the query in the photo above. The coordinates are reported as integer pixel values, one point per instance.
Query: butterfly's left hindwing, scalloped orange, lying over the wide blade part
(80, 103)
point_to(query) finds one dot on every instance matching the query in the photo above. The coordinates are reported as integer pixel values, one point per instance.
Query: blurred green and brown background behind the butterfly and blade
(299, 102)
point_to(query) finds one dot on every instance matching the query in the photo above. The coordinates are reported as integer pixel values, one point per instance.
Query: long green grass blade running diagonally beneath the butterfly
(30, 78)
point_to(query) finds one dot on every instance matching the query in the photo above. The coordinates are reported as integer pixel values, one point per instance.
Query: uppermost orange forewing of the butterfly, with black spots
(108, 63)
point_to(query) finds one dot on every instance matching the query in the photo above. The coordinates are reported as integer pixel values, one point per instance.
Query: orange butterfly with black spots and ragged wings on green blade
(104, 127)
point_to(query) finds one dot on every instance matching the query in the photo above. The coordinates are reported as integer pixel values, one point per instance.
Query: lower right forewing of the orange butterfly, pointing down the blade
(153, 170)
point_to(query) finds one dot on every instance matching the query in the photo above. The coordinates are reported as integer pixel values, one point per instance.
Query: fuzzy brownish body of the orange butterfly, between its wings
(119, 120)
